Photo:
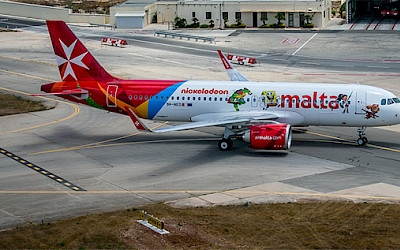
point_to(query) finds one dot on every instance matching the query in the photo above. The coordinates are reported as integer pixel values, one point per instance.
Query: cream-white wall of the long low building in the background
(184, 9)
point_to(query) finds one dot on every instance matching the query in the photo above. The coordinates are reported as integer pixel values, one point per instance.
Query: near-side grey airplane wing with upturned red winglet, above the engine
(203, 120)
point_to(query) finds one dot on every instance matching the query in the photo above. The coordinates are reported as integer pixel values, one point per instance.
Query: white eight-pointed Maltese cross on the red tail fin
(68, 60)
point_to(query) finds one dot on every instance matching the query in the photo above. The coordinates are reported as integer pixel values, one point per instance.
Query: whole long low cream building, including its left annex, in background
(253, 13)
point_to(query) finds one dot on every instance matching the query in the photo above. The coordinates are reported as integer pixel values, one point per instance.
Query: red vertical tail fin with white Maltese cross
(73, 59)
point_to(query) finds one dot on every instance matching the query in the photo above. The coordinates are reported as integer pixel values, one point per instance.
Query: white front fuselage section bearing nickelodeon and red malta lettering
(299, 104)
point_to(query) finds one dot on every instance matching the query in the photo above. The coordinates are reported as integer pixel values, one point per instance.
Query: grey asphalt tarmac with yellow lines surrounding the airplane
(119, 167)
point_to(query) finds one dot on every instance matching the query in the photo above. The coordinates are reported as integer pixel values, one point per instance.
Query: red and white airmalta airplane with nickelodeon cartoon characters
(259, 113)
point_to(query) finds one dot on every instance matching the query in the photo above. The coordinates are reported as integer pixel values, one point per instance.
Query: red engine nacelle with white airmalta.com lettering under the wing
(269, 136)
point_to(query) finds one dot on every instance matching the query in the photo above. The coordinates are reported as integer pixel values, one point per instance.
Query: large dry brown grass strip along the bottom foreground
(297, 225)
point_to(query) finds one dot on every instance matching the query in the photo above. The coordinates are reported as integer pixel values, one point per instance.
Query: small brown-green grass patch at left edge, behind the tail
(10, 104)
